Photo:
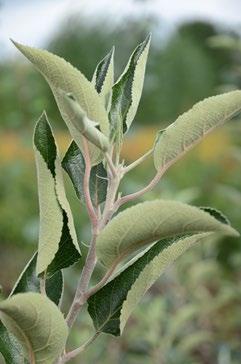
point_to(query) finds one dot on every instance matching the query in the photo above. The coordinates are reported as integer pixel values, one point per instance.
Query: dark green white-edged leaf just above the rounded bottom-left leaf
(30, 282)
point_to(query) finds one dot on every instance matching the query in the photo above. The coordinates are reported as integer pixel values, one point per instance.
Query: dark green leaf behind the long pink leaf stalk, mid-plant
(74, 165)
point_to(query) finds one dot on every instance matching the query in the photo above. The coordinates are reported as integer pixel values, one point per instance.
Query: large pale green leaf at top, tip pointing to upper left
(61, 75)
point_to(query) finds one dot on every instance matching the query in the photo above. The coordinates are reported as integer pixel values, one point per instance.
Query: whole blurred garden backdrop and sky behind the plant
(192, 314)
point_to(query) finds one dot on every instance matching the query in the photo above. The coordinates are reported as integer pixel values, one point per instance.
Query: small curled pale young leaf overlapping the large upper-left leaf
(82, 123)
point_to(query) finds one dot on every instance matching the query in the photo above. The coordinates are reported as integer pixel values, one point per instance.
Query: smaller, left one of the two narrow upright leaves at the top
(103, 77)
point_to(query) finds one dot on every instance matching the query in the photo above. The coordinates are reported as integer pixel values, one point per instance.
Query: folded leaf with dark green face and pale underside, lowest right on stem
(112, 305)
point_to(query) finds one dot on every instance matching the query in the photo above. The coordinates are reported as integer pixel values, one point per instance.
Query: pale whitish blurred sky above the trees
(32, 21)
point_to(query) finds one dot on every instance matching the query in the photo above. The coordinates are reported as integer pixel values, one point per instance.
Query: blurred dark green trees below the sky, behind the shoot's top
(181, 70)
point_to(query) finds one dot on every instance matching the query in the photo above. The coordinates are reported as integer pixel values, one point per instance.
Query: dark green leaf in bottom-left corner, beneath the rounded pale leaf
(10, 349)
